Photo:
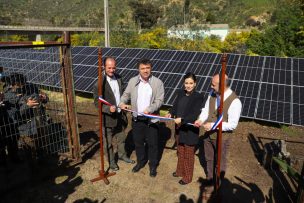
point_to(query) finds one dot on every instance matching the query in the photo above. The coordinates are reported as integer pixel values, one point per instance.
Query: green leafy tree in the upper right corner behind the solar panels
(285, 38)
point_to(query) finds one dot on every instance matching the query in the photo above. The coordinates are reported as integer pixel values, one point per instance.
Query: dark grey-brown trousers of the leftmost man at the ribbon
(114, 140)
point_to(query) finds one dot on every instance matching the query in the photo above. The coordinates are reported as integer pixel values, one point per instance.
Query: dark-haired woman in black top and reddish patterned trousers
(185, 111)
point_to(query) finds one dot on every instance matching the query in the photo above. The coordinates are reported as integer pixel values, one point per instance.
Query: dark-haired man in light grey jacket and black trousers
(145, 93)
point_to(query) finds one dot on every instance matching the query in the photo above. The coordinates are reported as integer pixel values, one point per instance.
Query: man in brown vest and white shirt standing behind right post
(231, 115)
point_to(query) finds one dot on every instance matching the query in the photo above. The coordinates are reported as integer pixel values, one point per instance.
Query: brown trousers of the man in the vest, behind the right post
(209, 151)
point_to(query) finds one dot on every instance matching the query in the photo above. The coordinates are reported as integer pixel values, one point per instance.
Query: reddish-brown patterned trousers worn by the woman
(185, 162)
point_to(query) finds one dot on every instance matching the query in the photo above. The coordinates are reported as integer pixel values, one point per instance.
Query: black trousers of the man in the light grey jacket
(145, 134)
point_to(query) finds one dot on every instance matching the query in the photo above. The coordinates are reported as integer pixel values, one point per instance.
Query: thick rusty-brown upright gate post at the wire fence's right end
(69, 98)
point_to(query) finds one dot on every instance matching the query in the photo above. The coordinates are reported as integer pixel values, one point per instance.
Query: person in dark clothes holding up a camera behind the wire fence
(26, 109)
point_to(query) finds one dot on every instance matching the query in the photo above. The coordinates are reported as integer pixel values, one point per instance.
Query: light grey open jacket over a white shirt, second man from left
(157, 99)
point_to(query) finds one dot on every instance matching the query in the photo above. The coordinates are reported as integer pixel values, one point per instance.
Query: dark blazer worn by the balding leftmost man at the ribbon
(109, 119)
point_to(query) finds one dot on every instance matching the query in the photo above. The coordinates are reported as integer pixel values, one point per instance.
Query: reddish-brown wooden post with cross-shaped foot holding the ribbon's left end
(102, 174)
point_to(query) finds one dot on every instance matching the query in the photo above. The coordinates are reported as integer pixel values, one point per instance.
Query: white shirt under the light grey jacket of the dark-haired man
(144, 95)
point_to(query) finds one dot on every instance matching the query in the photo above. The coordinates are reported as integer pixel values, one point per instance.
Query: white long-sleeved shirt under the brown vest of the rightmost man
(234, 112)
